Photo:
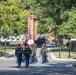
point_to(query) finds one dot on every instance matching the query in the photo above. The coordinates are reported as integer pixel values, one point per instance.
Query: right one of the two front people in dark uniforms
(27, 51)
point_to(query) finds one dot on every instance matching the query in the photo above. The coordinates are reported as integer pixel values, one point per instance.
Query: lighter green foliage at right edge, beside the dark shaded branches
(68, 26)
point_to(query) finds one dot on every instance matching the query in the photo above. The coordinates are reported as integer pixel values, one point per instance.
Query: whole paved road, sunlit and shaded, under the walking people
(52, 67)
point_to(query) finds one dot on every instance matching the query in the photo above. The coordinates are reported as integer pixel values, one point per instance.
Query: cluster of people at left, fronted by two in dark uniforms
(25, 53)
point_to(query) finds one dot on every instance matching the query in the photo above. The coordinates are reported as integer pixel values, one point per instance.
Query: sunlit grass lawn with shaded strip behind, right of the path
(63, 53)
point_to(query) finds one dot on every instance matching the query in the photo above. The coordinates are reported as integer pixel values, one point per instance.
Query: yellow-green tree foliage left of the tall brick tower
(13, 18)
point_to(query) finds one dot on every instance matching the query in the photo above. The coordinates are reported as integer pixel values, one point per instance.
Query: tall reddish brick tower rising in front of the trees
(32, 26)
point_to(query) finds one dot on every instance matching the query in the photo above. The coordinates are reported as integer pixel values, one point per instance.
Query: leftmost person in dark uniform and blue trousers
(18, 53)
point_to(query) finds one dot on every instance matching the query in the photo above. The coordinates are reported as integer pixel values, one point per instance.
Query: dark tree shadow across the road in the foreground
(49, 69)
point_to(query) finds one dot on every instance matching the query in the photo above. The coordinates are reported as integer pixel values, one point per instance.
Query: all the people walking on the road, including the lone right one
(29, 54)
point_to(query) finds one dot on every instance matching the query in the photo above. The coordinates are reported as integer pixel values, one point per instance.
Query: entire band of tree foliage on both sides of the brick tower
(59, 15)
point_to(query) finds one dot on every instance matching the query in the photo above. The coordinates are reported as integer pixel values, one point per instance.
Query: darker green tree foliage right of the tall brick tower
(57, 14)
